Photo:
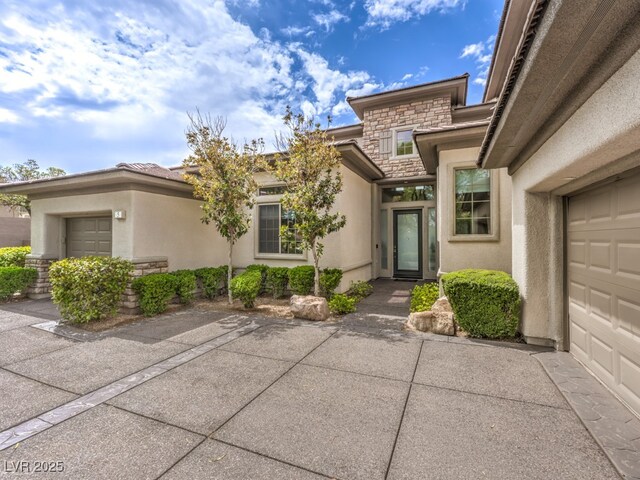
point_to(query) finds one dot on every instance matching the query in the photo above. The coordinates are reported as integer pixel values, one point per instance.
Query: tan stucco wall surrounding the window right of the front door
(457, 254)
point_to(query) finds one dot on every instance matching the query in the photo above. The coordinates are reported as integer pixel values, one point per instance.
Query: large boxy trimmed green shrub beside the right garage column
(486, 302)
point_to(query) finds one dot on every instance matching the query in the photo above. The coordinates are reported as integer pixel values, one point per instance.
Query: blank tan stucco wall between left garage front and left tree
(166, 226)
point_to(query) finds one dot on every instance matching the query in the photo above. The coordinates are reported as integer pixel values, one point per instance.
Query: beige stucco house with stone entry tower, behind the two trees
(416, 204)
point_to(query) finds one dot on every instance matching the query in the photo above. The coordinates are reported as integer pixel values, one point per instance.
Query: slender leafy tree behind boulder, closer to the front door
(310, 170)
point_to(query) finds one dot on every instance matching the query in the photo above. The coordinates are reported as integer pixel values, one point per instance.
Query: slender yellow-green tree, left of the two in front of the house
(224, 178)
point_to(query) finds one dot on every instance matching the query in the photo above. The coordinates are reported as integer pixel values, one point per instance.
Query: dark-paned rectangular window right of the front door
(473, 202)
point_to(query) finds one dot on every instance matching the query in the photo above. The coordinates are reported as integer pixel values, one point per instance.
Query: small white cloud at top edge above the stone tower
(383, 13)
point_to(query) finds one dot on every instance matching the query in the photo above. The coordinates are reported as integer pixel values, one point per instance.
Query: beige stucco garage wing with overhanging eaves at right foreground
(566, 79)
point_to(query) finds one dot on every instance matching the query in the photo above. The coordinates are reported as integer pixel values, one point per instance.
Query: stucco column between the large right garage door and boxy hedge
(538, 263)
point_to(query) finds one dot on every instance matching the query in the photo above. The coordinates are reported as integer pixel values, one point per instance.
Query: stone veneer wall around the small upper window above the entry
(425, 113)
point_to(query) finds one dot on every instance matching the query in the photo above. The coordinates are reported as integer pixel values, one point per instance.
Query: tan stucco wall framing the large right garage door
(599, 140)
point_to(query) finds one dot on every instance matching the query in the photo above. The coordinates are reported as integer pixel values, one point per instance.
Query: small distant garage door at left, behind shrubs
(89, 236)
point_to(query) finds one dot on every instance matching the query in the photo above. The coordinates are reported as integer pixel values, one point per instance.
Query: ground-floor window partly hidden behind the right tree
(270, 218)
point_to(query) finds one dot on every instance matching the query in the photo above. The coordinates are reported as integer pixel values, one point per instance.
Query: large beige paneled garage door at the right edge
(604, 284)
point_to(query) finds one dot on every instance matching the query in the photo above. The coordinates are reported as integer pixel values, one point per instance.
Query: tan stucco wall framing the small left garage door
(48, 226)
